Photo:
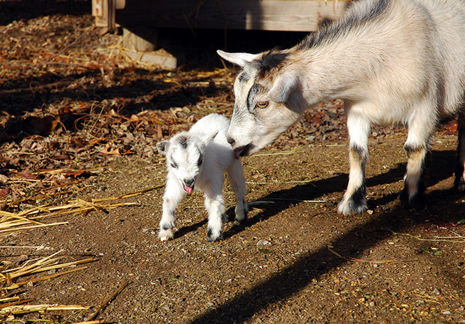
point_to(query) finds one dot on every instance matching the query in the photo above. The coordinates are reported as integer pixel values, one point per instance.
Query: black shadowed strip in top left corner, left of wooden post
(26, 9)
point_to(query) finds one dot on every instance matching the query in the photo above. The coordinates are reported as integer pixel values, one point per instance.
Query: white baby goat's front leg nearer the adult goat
(214, 203)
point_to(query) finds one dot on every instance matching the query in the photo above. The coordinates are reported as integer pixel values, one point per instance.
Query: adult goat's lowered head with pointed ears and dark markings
(268, 99)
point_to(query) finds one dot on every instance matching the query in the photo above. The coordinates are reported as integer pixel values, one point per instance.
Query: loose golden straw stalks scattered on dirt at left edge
(33, 218)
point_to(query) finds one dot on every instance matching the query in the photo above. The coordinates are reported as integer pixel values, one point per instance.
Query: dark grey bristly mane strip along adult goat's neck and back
(341, 27)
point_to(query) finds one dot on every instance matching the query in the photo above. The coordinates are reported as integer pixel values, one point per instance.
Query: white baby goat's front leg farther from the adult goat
(171, 198)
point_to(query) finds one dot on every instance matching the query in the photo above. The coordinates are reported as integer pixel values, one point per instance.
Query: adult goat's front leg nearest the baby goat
(354, 200)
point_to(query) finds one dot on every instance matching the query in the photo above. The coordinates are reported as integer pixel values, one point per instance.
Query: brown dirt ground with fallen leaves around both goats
(79, 125)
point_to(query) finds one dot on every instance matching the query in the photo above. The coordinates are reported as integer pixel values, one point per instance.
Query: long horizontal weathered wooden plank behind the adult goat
(278, 15)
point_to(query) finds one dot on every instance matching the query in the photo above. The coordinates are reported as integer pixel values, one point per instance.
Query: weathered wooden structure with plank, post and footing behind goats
(141, 18)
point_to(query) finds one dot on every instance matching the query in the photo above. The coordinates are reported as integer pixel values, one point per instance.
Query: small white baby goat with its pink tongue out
(198, 159)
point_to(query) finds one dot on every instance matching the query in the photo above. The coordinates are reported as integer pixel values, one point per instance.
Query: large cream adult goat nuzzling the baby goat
(392, 61)
